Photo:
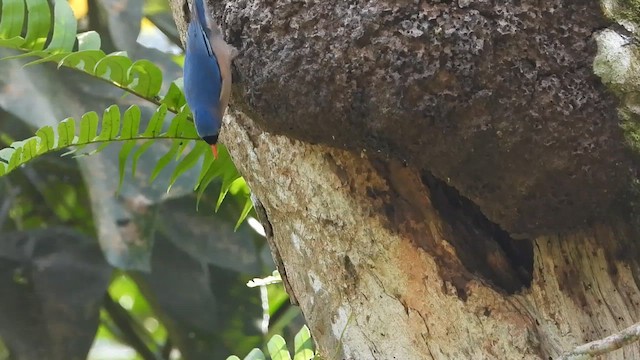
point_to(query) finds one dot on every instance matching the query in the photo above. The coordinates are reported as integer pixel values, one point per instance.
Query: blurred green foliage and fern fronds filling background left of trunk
(174, 277)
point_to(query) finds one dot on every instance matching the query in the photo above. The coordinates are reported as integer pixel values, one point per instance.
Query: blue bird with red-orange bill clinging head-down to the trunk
(207, 73)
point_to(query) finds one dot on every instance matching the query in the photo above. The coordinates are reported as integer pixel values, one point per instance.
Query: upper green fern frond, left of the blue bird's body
(141, 78)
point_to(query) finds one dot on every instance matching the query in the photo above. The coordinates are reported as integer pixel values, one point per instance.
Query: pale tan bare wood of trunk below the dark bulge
(368, 291)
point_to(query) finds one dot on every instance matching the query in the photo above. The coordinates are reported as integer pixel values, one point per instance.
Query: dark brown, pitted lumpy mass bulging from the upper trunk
(497, 100)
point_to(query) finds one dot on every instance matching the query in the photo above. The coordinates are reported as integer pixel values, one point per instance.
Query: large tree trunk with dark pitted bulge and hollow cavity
(442, 180)
